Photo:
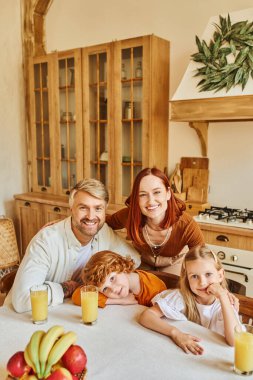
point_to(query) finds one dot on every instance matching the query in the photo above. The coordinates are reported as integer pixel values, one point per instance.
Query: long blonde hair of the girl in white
(199, 252)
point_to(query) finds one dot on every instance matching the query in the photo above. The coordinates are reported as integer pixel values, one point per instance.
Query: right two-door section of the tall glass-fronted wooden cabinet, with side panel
(126, 87)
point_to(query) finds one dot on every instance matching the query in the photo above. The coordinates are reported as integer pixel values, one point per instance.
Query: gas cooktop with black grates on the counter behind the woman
(226, 216)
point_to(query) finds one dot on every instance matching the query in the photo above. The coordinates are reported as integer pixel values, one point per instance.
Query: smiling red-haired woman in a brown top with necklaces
(157, 223)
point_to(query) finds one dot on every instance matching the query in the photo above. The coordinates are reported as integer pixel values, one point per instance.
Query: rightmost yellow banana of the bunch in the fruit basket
(59, 348)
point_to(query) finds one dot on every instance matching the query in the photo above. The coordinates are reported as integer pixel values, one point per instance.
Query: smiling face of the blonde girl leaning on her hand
(201, 273)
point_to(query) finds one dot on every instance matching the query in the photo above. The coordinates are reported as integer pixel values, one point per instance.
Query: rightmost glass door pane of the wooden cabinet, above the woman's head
(131, 106)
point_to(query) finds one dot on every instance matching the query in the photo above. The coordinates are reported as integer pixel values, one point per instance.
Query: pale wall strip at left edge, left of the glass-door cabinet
(13, 175)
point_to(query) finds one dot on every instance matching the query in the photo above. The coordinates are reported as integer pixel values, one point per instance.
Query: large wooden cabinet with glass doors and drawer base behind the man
(100, 112)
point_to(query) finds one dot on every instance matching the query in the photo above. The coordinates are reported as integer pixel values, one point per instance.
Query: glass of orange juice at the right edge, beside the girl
(243, 364)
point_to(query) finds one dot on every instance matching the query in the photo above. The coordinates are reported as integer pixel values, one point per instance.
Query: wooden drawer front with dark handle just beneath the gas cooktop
(228, 236)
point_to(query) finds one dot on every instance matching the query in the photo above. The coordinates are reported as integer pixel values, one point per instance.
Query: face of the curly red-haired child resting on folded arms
(116, 285)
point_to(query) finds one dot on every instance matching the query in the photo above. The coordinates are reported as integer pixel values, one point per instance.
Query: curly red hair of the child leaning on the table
(103, 263)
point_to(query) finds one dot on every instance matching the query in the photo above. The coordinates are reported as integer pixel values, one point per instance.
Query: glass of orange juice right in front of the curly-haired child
(89, 302)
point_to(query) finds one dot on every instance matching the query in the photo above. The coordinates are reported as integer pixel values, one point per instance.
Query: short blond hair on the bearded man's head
(91, 186)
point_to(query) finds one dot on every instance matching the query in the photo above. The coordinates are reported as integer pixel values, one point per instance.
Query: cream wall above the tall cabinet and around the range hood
(80, 23)
